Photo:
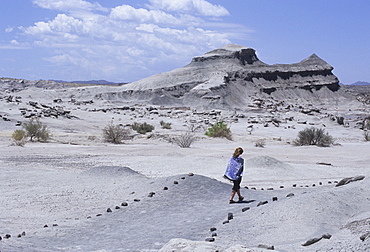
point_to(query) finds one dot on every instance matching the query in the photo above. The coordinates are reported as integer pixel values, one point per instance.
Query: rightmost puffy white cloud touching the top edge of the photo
(201, 7)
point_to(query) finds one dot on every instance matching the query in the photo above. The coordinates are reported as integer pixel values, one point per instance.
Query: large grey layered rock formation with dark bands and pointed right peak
(233, 77)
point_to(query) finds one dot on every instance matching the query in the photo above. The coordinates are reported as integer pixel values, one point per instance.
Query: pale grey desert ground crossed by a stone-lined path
(58, 192)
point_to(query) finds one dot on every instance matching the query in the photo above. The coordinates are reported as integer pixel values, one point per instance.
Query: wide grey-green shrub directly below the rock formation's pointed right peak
(313, 136)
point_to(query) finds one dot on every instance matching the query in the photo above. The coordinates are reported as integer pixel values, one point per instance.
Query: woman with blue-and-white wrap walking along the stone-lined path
(234, 172)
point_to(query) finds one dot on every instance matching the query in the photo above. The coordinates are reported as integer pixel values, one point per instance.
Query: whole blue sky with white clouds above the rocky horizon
(124, 41)
